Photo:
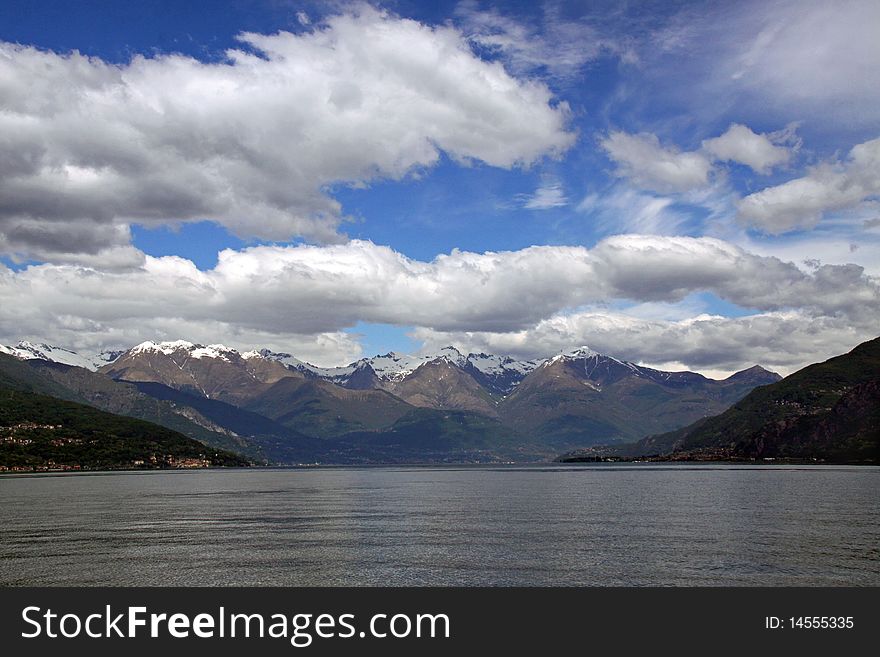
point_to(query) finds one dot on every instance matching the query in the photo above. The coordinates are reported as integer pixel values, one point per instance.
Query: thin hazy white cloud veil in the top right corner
(808, 59)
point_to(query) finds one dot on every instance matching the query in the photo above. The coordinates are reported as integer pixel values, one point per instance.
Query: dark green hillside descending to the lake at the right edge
(827, 410)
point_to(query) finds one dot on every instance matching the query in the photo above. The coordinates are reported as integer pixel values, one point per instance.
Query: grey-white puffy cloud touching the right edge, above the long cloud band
(800, 203)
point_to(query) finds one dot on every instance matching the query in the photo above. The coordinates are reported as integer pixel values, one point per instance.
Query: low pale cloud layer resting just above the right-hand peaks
(711, 344)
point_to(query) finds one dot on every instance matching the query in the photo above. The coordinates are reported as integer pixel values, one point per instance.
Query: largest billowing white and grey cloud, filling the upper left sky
(255, 141)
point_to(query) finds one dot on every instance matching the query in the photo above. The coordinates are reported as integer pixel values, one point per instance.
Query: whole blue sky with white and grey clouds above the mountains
(687, 185)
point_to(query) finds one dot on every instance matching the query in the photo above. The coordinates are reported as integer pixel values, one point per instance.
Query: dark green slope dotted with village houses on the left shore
(38, 431)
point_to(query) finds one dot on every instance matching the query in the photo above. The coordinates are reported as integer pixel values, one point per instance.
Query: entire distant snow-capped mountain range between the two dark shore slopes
(445, 406)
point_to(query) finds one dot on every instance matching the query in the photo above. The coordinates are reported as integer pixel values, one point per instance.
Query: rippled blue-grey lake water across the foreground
(638, 524)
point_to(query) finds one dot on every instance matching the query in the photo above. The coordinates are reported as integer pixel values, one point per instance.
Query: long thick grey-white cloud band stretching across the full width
(285, 294)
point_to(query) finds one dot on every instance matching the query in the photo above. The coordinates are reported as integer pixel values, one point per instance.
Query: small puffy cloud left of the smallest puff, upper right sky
(642, 159)
